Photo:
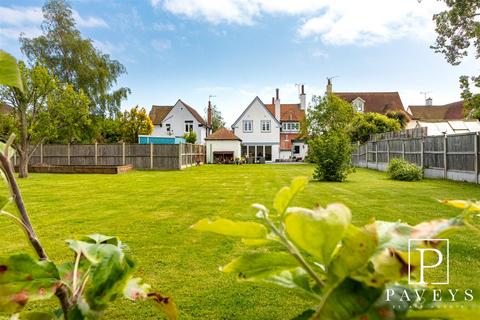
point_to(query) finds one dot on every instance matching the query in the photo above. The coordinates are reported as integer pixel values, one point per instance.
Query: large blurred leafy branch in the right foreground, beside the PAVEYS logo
(345, 270)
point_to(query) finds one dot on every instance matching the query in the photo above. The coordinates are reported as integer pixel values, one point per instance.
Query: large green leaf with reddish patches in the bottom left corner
(23, 279)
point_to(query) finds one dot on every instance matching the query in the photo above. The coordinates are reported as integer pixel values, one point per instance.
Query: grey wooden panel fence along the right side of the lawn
(454, 157)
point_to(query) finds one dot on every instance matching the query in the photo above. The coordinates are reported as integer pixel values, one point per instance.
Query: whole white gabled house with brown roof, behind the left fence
(178, 120)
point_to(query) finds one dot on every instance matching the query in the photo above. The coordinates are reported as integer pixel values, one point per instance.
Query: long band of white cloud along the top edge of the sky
(332, 21)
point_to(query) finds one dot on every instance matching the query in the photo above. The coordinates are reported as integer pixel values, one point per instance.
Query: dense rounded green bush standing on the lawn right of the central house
(331, 152)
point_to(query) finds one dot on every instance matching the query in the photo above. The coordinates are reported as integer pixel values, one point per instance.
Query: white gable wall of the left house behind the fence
(176, 118)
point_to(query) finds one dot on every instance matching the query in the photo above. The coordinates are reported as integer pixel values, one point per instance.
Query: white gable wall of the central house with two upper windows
(257, 112)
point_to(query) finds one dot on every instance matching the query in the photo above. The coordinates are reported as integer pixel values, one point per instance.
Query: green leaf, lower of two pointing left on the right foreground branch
(257, 266)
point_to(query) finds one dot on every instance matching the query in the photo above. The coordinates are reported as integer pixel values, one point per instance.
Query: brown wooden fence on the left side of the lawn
(141, 156)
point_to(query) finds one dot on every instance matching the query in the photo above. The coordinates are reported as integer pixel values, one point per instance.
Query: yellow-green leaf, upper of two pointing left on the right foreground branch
(232, 228)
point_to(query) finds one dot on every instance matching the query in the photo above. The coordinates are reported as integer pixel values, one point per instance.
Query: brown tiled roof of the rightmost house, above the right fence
(451, 111)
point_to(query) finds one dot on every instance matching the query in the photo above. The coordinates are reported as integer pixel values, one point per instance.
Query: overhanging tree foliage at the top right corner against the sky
(458, 29)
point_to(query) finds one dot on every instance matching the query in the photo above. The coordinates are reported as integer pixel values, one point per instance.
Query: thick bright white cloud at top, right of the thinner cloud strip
(371, 21)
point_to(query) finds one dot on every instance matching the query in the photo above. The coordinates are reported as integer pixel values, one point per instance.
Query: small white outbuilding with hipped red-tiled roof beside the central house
(223, 146)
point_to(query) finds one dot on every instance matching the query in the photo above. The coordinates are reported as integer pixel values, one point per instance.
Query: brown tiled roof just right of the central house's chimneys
(379, 102)
